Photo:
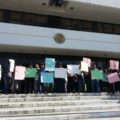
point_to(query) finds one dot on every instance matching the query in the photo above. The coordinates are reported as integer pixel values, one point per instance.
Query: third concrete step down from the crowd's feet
(56, 109)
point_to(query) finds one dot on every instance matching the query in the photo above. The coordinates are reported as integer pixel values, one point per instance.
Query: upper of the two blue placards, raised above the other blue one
(50, 64)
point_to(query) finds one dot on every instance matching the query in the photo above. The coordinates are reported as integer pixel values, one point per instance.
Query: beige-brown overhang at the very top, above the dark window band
(97, 10)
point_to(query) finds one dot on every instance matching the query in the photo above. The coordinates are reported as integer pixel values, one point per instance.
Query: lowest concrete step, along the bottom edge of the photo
(87, 115)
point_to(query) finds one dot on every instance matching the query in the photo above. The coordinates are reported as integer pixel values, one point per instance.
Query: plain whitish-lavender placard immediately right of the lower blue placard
(60, 73)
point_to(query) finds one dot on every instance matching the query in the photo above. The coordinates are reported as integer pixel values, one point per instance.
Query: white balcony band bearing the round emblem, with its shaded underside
(29, 39)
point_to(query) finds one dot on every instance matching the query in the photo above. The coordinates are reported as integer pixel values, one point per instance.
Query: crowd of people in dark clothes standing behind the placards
(76, 83)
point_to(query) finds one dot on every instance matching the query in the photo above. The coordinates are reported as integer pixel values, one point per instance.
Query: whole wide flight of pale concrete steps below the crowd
(83, 106)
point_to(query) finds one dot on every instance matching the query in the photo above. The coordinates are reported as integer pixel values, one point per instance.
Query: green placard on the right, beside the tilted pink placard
(97, 74)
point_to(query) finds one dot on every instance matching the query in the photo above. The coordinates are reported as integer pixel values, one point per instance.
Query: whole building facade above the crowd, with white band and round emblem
(31, 30)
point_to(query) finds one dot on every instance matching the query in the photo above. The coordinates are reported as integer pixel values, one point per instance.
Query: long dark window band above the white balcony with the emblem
(57, 22)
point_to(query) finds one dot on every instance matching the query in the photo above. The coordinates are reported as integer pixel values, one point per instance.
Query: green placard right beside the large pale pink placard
(30, 72)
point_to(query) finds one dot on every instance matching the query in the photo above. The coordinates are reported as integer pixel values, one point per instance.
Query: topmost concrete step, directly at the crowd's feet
(52, 98)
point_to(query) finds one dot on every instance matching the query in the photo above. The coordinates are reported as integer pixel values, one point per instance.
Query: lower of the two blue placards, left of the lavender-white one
(47, 77)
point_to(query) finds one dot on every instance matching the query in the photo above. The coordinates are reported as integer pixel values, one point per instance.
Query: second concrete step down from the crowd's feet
(56, 103)
